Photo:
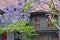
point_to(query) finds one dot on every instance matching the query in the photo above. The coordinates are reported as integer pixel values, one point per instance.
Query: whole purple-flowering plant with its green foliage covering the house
(17, 13)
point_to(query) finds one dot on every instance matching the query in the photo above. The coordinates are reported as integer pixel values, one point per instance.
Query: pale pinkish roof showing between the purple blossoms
(42, 5)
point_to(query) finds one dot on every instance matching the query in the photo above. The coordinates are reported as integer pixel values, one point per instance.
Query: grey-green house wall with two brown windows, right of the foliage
(44, 27)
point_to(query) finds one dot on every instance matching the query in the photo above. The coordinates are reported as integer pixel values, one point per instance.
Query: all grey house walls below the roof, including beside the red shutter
(42, 25)
